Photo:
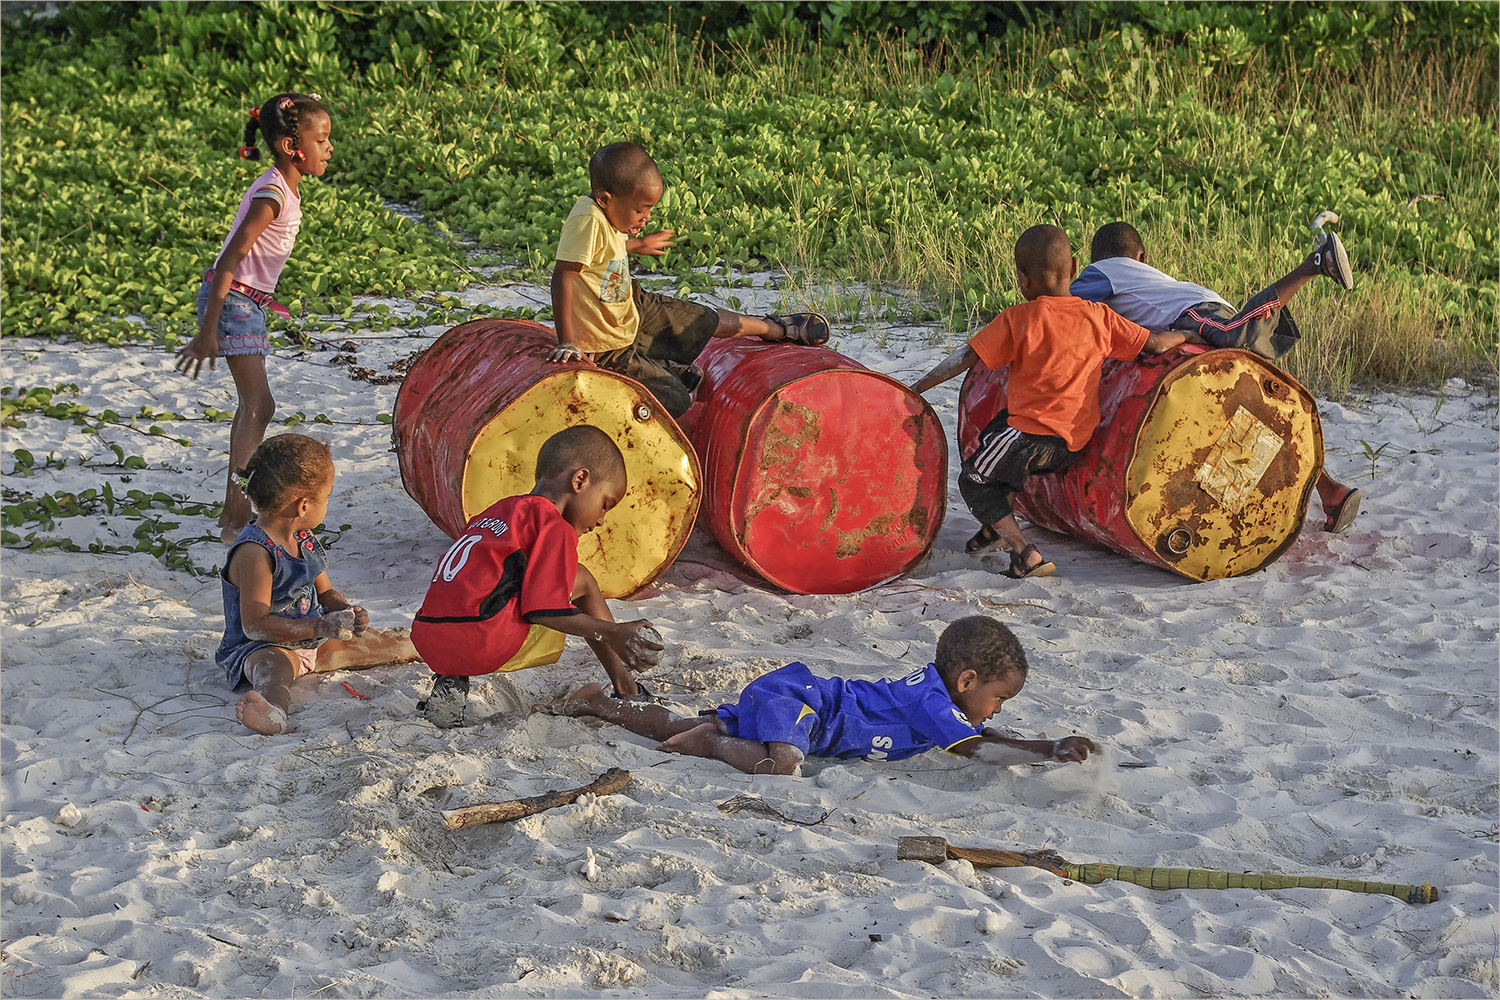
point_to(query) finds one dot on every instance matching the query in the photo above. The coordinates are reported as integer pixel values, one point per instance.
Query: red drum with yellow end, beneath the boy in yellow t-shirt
(476, 407)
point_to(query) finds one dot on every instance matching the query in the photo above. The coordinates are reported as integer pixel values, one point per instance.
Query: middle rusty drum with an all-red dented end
(820, 475)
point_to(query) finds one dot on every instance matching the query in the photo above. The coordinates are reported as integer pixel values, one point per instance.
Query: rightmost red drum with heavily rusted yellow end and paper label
(1204, 461)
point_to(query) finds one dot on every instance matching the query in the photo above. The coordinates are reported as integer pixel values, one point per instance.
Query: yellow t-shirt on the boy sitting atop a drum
(605, 314)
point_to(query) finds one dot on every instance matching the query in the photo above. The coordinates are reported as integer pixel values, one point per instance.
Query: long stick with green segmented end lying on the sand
(937, 851)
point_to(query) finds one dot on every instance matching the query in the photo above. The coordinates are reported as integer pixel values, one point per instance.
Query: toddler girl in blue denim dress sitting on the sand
(283, 618)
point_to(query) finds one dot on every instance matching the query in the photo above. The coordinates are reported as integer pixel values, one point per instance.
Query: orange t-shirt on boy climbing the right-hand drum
(1055, 347)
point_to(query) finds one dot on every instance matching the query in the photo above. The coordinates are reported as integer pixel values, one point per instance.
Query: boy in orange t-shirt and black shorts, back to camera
(1057, 346)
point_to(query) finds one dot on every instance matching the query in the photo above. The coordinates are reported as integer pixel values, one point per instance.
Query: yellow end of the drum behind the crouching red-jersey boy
(643, 536)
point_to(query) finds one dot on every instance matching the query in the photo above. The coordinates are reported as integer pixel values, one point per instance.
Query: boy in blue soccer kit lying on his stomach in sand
(791, 714)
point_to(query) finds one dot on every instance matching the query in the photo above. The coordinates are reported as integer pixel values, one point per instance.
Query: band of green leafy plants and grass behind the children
(872, 149)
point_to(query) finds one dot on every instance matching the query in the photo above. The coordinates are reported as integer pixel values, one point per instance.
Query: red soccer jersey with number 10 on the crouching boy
(518, 558)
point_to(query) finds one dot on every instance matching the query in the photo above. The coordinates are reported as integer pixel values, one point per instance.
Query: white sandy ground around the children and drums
(1331, 716)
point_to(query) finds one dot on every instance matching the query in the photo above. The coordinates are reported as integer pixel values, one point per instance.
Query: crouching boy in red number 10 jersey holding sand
(511, 587)
